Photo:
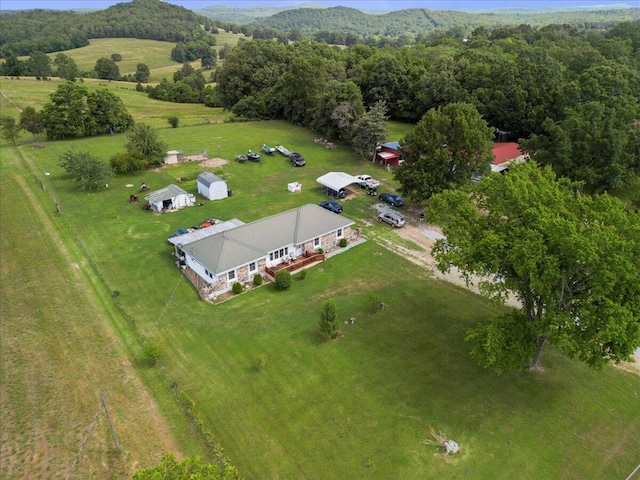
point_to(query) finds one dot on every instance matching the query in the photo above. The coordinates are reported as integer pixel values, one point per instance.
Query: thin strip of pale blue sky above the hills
(361, 4)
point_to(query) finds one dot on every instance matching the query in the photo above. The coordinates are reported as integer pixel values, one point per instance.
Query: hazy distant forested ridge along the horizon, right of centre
(422, 20)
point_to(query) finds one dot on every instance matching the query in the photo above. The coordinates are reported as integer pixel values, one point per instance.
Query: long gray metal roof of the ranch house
(232, 248)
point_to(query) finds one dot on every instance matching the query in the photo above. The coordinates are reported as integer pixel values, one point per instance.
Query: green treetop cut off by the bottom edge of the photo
(188, 469)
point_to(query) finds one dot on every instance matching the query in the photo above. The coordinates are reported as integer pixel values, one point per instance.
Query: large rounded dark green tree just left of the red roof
(444, 150)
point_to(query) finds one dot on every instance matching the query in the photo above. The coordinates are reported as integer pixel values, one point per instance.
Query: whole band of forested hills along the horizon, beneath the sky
(25, 32)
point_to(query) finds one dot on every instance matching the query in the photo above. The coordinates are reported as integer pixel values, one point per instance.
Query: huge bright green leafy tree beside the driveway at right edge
(571, 260)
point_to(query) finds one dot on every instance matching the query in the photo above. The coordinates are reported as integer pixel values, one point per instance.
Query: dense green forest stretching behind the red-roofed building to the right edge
(572, 97)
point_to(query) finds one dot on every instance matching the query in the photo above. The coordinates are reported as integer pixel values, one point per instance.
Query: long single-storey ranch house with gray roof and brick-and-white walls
(236, 253)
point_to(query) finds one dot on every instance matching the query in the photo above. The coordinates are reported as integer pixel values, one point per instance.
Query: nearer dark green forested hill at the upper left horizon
(49, 31)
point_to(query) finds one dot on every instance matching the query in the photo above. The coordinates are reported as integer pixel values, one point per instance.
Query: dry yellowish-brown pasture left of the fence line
(59, 353)
